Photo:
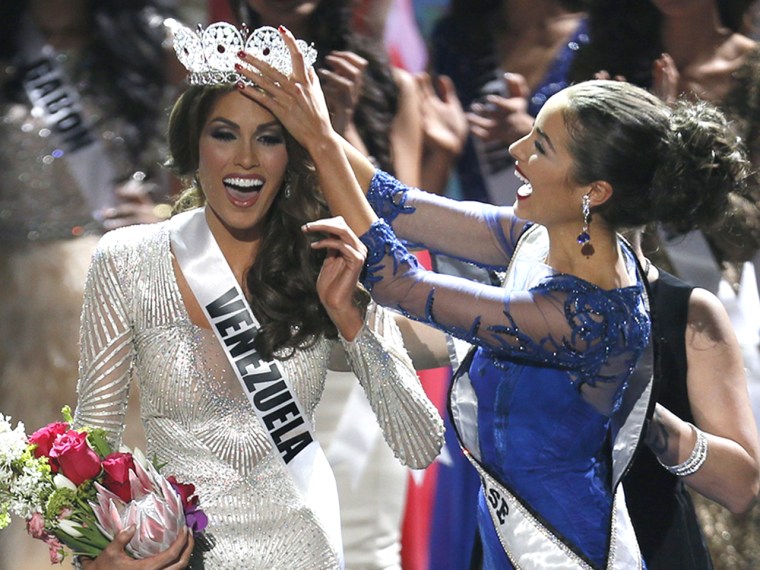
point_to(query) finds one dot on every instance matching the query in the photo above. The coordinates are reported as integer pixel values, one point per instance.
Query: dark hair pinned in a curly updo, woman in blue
(676, 166)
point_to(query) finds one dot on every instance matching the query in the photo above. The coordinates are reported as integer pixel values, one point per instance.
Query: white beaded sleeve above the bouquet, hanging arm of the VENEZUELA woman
(106, 349)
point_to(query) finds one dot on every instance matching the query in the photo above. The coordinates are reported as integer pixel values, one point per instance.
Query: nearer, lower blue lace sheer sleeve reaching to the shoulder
(561, 321)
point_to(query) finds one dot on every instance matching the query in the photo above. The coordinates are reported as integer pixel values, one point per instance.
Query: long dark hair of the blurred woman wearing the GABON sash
(125, 59)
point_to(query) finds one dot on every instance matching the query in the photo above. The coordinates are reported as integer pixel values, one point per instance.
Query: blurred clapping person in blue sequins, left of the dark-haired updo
(476, 44)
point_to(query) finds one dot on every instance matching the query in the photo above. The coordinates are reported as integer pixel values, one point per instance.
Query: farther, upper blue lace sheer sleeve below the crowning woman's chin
(472, 231)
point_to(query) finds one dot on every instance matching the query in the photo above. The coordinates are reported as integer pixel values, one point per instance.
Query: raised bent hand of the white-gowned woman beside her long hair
(338, 278)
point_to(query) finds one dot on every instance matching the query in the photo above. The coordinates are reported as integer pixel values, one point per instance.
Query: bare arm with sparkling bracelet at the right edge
(719, 401)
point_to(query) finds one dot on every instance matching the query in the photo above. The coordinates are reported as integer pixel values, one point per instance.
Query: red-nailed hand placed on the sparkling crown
(296, 101)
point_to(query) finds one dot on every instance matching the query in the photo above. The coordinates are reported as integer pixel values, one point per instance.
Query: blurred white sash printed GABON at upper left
(50, 90)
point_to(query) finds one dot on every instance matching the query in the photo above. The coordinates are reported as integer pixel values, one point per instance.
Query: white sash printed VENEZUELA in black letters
(265, 383)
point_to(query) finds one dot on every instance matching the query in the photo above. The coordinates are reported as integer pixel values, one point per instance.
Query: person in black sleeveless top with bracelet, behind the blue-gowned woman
(701, 385)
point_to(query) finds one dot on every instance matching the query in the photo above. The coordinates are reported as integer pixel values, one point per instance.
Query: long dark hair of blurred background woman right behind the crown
(330, 29)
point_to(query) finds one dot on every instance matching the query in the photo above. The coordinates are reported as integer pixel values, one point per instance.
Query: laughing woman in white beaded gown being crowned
(144, 318)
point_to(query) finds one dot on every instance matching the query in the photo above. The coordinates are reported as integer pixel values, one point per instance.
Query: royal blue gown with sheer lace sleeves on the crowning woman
(553, 356)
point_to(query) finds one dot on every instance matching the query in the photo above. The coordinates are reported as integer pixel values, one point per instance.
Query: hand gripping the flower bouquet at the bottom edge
(114, 557)
